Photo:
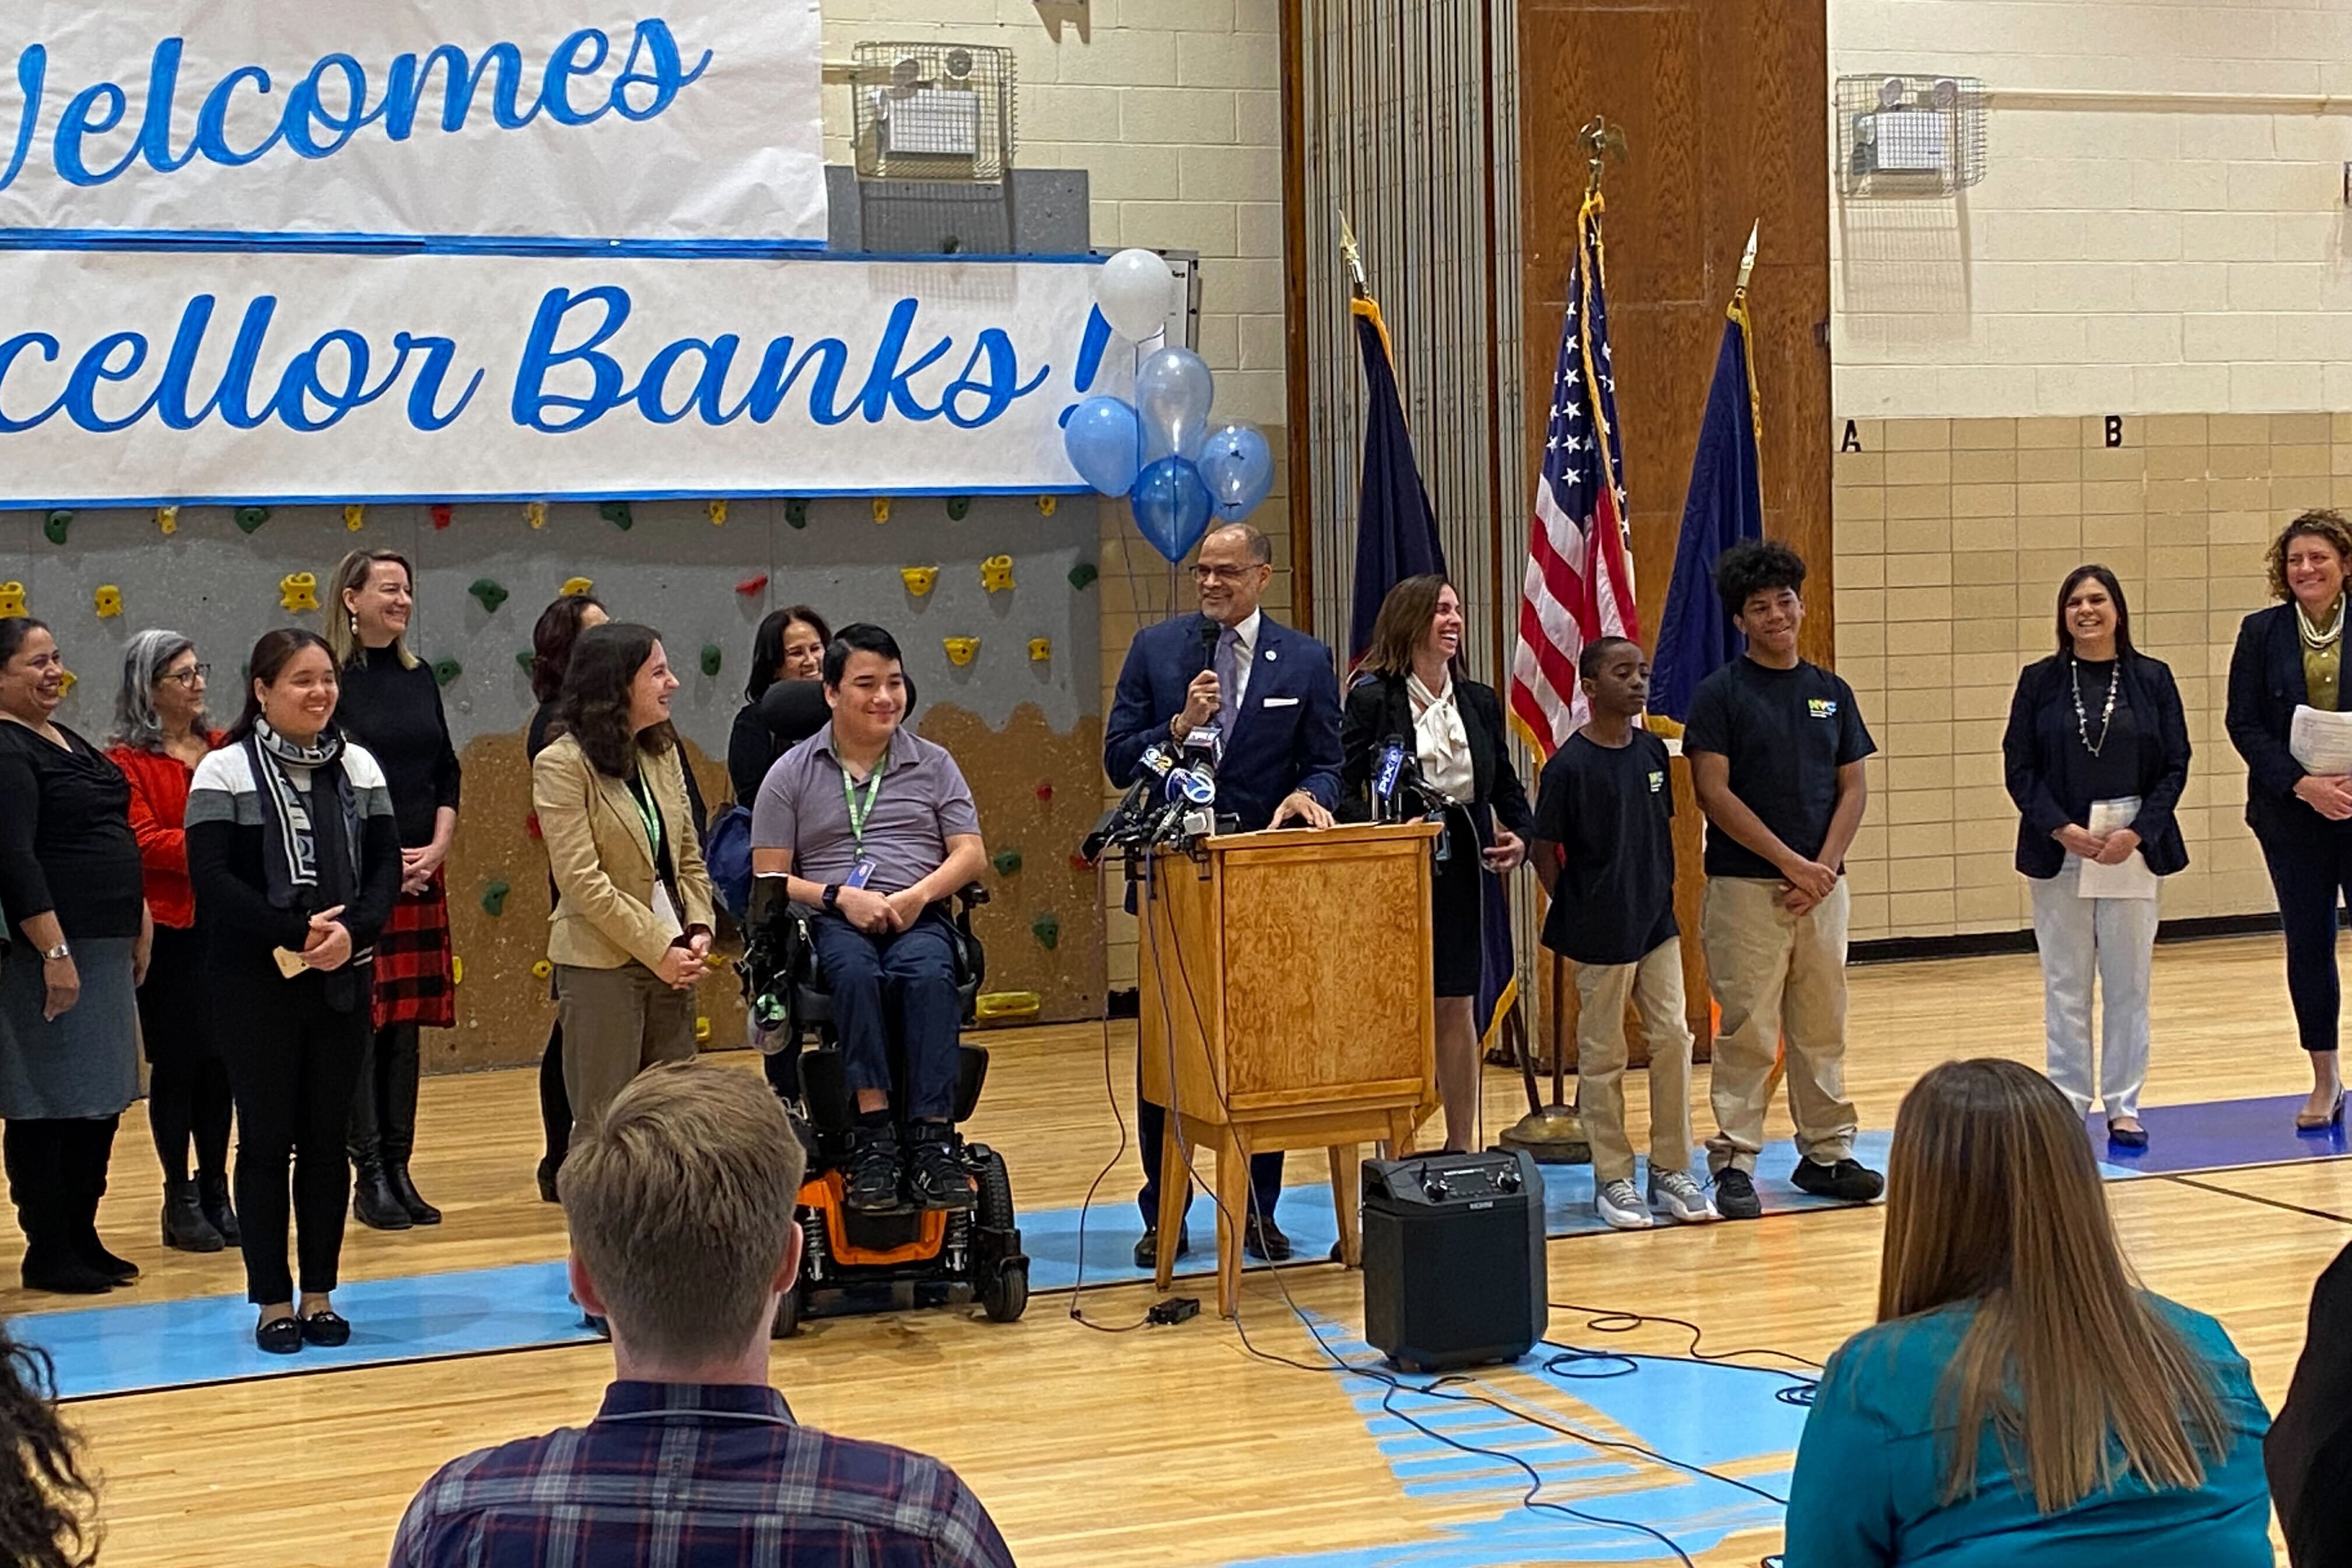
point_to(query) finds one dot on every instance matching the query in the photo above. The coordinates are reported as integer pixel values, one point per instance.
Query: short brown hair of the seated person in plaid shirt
(681, 1207)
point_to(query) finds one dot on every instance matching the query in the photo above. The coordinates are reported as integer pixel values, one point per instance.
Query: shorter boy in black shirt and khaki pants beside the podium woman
(1605, 819)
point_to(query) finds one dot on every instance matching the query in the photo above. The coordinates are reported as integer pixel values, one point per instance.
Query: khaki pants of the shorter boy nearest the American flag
(1655, 984)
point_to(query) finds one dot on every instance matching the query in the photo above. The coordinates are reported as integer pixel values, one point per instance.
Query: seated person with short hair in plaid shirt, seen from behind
(683, 1238)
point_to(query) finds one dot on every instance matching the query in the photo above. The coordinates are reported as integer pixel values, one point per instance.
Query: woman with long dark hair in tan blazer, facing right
(632, 927)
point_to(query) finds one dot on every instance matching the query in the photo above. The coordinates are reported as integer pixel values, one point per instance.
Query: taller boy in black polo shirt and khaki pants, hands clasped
(1777, 758)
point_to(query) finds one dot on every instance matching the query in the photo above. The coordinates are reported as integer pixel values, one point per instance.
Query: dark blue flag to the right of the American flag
(1725, 507)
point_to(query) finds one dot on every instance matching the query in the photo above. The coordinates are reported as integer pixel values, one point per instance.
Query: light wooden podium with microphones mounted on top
(1285, 1005)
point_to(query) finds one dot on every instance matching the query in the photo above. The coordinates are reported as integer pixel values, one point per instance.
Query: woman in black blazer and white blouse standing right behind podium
(1410, 690)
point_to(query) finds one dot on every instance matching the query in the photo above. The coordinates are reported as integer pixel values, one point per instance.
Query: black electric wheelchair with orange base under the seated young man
(860, 1261)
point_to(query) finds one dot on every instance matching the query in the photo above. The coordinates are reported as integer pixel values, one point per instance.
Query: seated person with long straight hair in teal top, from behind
(2022, 1400)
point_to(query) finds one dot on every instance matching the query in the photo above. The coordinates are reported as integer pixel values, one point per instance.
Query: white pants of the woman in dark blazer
(2116, 942)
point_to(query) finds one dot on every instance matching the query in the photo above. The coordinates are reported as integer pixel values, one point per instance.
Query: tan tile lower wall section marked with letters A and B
(1953, 537)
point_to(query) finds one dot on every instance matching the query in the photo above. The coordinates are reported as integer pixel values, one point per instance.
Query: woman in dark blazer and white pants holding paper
(2097, 758)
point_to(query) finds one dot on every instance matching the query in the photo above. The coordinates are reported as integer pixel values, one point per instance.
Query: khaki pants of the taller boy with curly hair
(1777, 977)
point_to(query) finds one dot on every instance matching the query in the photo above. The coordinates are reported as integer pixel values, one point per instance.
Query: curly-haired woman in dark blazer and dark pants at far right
(2292, 657)
